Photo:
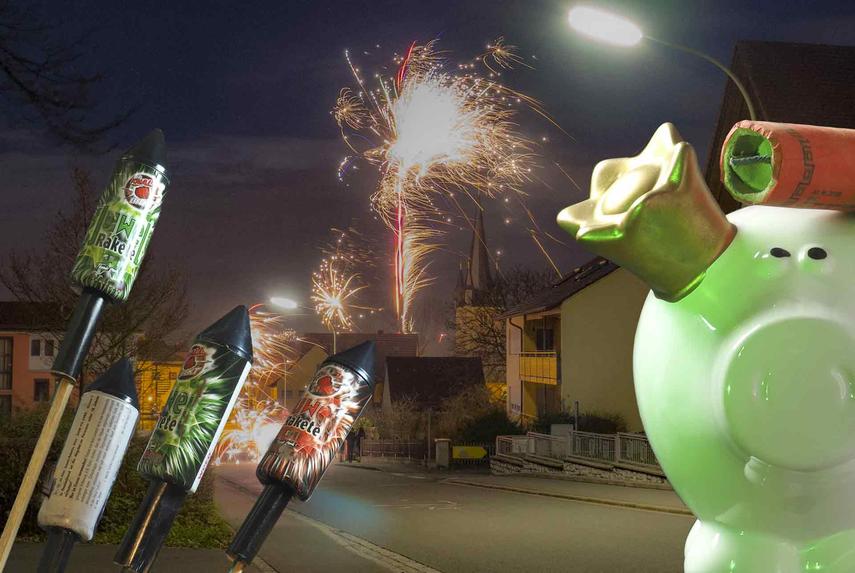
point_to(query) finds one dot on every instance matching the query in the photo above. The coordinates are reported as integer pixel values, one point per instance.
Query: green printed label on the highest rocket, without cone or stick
(120, 231)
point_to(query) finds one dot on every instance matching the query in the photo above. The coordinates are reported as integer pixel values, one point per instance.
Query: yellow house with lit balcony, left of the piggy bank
(573, 342)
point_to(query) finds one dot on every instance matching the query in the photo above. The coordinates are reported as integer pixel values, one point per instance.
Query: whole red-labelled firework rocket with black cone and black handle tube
(307, 443)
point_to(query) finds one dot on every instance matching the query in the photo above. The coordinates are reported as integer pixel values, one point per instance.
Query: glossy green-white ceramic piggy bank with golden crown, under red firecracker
(744, 359)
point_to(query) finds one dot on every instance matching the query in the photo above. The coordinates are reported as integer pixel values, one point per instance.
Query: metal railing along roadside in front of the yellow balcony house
(611, 448)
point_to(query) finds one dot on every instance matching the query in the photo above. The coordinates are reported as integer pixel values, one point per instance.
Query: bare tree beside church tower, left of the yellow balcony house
(478, 331)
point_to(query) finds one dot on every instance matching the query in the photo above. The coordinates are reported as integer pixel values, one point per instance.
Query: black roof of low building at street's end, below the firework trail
(429, 380)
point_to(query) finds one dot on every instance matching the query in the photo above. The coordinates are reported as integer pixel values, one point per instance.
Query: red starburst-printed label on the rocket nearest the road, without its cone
(315, 430)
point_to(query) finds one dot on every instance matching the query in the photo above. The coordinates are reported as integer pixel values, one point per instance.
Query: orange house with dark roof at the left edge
(28, 344)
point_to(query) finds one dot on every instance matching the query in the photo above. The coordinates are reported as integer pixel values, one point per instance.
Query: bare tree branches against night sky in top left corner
(42, 81)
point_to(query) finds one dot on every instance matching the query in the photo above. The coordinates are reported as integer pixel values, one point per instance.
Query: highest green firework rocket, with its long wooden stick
(104, 271)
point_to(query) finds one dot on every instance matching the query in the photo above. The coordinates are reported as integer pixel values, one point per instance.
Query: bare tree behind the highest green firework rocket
(156, 308)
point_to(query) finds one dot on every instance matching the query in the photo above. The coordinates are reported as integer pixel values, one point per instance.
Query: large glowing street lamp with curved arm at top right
(616, 30)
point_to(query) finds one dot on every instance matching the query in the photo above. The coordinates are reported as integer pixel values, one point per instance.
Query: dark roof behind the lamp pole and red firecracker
(787, 82)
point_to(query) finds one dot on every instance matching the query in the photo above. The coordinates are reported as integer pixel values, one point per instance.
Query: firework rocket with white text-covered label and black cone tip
(90, 460)
